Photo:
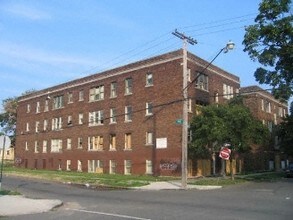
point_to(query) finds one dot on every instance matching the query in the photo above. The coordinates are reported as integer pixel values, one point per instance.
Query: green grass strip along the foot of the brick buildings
(125, 181)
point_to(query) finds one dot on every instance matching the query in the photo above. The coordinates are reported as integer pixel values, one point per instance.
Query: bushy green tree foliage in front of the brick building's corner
(217, 125)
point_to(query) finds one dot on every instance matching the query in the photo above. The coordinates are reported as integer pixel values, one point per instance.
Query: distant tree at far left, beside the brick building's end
(8, 116)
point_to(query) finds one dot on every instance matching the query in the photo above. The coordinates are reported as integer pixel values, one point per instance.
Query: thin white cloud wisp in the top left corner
(24, 11)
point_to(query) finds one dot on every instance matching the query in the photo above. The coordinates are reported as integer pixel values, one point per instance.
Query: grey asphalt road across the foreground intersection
(246, 201)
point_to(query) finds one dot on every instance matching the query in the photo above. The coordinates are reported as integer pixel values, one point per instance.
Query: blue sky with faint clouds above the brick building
(45, 43)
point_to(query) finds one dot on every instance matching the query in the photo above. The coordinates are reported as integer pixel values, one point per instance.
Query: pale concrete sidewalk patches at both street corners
(20, 205)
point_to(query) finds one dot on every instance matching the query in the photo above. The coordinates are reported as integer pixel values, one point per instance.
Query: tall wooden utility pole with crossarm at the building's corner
(184, 159)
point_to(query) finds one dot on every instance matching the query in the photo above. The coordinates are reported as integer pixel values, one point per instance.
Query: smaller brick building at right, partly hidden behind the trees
(270, 111)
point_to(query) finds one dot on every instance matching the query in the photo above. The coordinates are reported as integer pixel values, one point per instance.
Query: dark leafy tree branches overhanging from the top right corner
(269, 41)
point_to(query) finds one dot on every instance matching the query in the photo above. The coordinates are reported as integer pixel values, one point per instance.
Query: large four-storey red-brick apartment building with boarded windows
(119, 121)
